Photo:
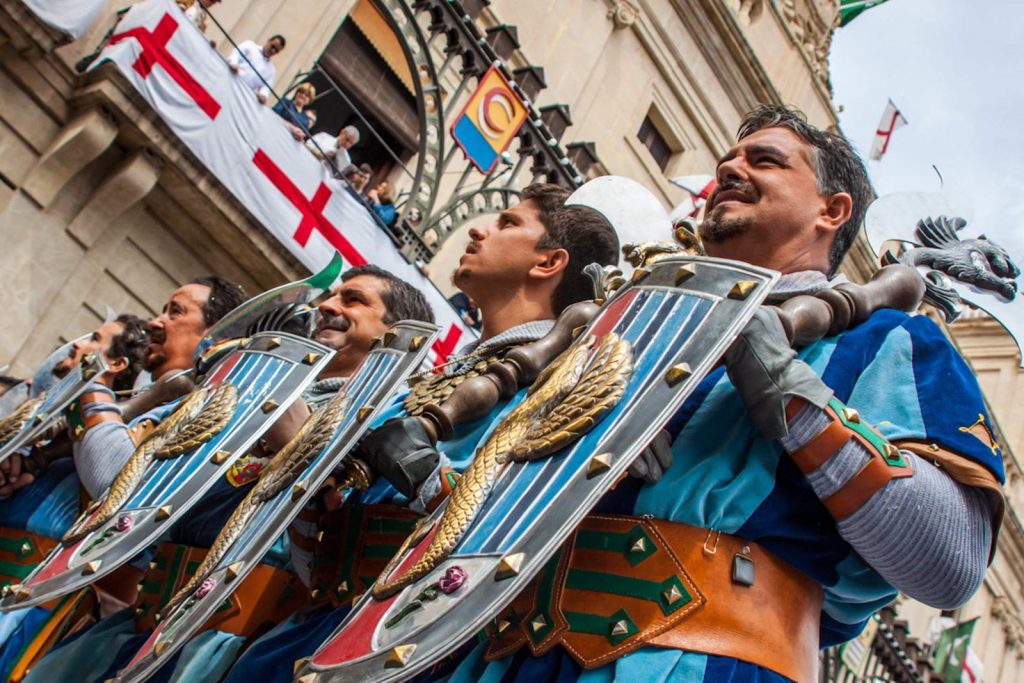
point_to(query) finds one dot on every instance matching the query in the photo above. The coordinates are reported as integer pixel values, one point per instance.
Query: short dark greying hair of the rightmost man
(837, 167)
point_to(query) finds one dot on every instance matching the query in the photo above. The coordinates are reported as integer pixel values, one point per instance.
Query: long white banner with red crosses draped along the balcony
(250, 151)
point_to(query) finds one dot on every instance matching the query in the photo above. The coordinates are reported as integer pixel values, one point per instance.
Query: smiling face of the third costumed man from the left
(350, 321)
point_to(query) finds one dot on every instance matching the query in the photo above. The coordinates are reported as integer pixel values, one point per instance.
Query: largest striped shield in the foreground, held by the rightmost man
(674, 322)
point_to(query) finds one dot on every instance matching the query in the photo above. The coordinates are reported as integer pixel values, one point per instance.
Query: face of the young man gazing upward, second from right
(503, 253)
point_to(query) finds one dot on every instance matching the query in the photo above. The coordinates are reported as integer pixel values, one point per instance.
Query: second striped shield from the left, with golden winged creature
(261, 378)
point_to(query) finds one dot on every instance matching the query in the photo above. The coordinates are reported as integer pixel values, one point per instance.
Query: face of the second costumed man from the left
(177, 332)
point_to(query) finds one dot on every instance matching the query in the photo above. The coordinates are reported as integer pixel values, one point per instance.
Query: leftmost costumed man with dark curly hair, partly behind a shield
(42, 495)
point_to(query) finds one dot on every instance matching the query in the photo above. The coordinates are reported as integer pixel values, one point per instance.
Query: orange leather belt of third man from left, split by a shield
(267, 597)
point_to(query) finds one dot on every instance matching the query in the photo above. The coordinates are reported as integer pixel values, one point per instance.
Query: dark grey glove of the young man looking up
(402, 453)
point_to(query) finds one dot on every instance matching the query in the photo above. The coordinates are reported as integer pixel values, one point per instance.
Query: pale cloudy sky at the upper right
(956, 70)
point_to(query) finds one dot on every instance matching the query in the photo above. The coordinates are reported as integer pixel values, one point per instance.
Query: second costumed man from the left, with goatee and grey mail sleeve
(112, 432)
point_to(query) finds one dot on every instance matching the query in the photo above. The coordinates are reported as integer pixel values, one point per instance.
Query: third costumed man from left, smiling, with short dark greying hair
(362, 309)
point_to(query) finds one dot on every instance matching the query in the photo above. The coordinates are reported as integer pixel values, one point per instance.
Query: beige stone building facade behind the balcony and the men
(101, 205)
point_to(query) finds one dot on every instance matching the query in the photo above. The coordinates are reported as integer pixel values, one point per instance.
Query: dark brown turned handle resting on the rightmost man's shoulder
(807, 319)
